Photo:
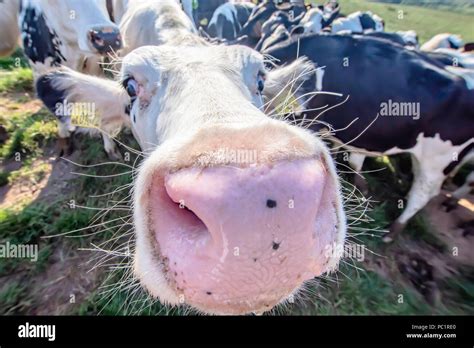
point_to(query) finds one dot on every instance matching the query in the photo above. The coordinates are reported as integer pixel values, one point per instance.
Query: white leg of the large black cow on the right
(427, 181)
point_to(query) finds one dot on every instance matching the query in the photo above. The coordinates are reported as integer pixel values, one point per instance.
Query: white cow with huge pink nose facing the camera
(225, 234)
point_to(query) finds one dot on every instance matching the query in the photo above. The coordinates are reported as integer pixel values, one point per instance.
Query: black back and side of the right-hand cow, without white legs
(370, 72)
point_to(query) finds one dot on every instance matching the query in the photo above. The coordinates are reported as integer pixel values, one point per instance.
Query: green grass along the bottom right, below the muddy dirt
(367, 293)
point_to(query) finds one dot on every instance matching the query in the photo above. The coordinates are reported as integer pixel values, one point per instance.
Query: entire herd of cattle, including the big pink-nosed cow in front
(199, 76)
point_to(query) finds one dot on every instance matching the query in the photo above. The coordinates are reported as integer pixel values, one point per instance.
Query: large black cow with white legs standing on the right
(391, 100)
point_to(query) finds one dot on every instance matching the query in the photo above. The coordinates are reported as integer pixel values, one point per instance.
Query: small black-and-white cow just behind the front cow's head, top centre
(228, 19)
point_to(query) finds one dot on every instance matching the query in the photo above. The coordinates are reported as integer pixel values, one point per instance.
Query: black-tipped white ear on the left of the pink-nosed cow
(64, 87)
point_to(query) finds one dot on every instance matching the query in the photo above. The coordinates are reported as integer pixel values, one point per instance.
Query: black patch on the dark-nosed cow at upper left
(39, 41)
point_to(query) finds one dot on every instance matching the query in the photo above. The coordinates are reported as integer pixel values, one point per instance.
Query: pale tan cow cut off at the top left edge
(9, 32)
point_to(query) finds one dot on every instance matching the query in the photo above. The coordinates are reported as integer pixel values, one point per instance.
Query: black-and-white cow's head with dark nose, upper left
(81, 23)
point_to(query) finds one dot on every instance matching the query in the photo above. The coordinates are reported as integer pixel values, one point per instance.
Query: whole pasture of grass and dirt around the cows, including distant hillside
(42, 197)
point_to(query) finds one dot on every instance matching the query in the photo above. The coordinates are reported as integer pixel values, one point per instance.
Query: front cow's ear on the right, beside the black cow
(286, 84)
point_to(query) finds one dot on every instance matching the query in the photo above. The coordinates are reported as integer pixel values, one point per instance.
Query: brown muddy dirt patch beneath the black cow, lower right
(422, 266)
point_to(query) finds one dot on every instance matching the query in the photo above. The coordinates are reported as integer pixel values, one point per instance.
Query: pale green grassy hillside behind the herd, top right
(425, 21)
